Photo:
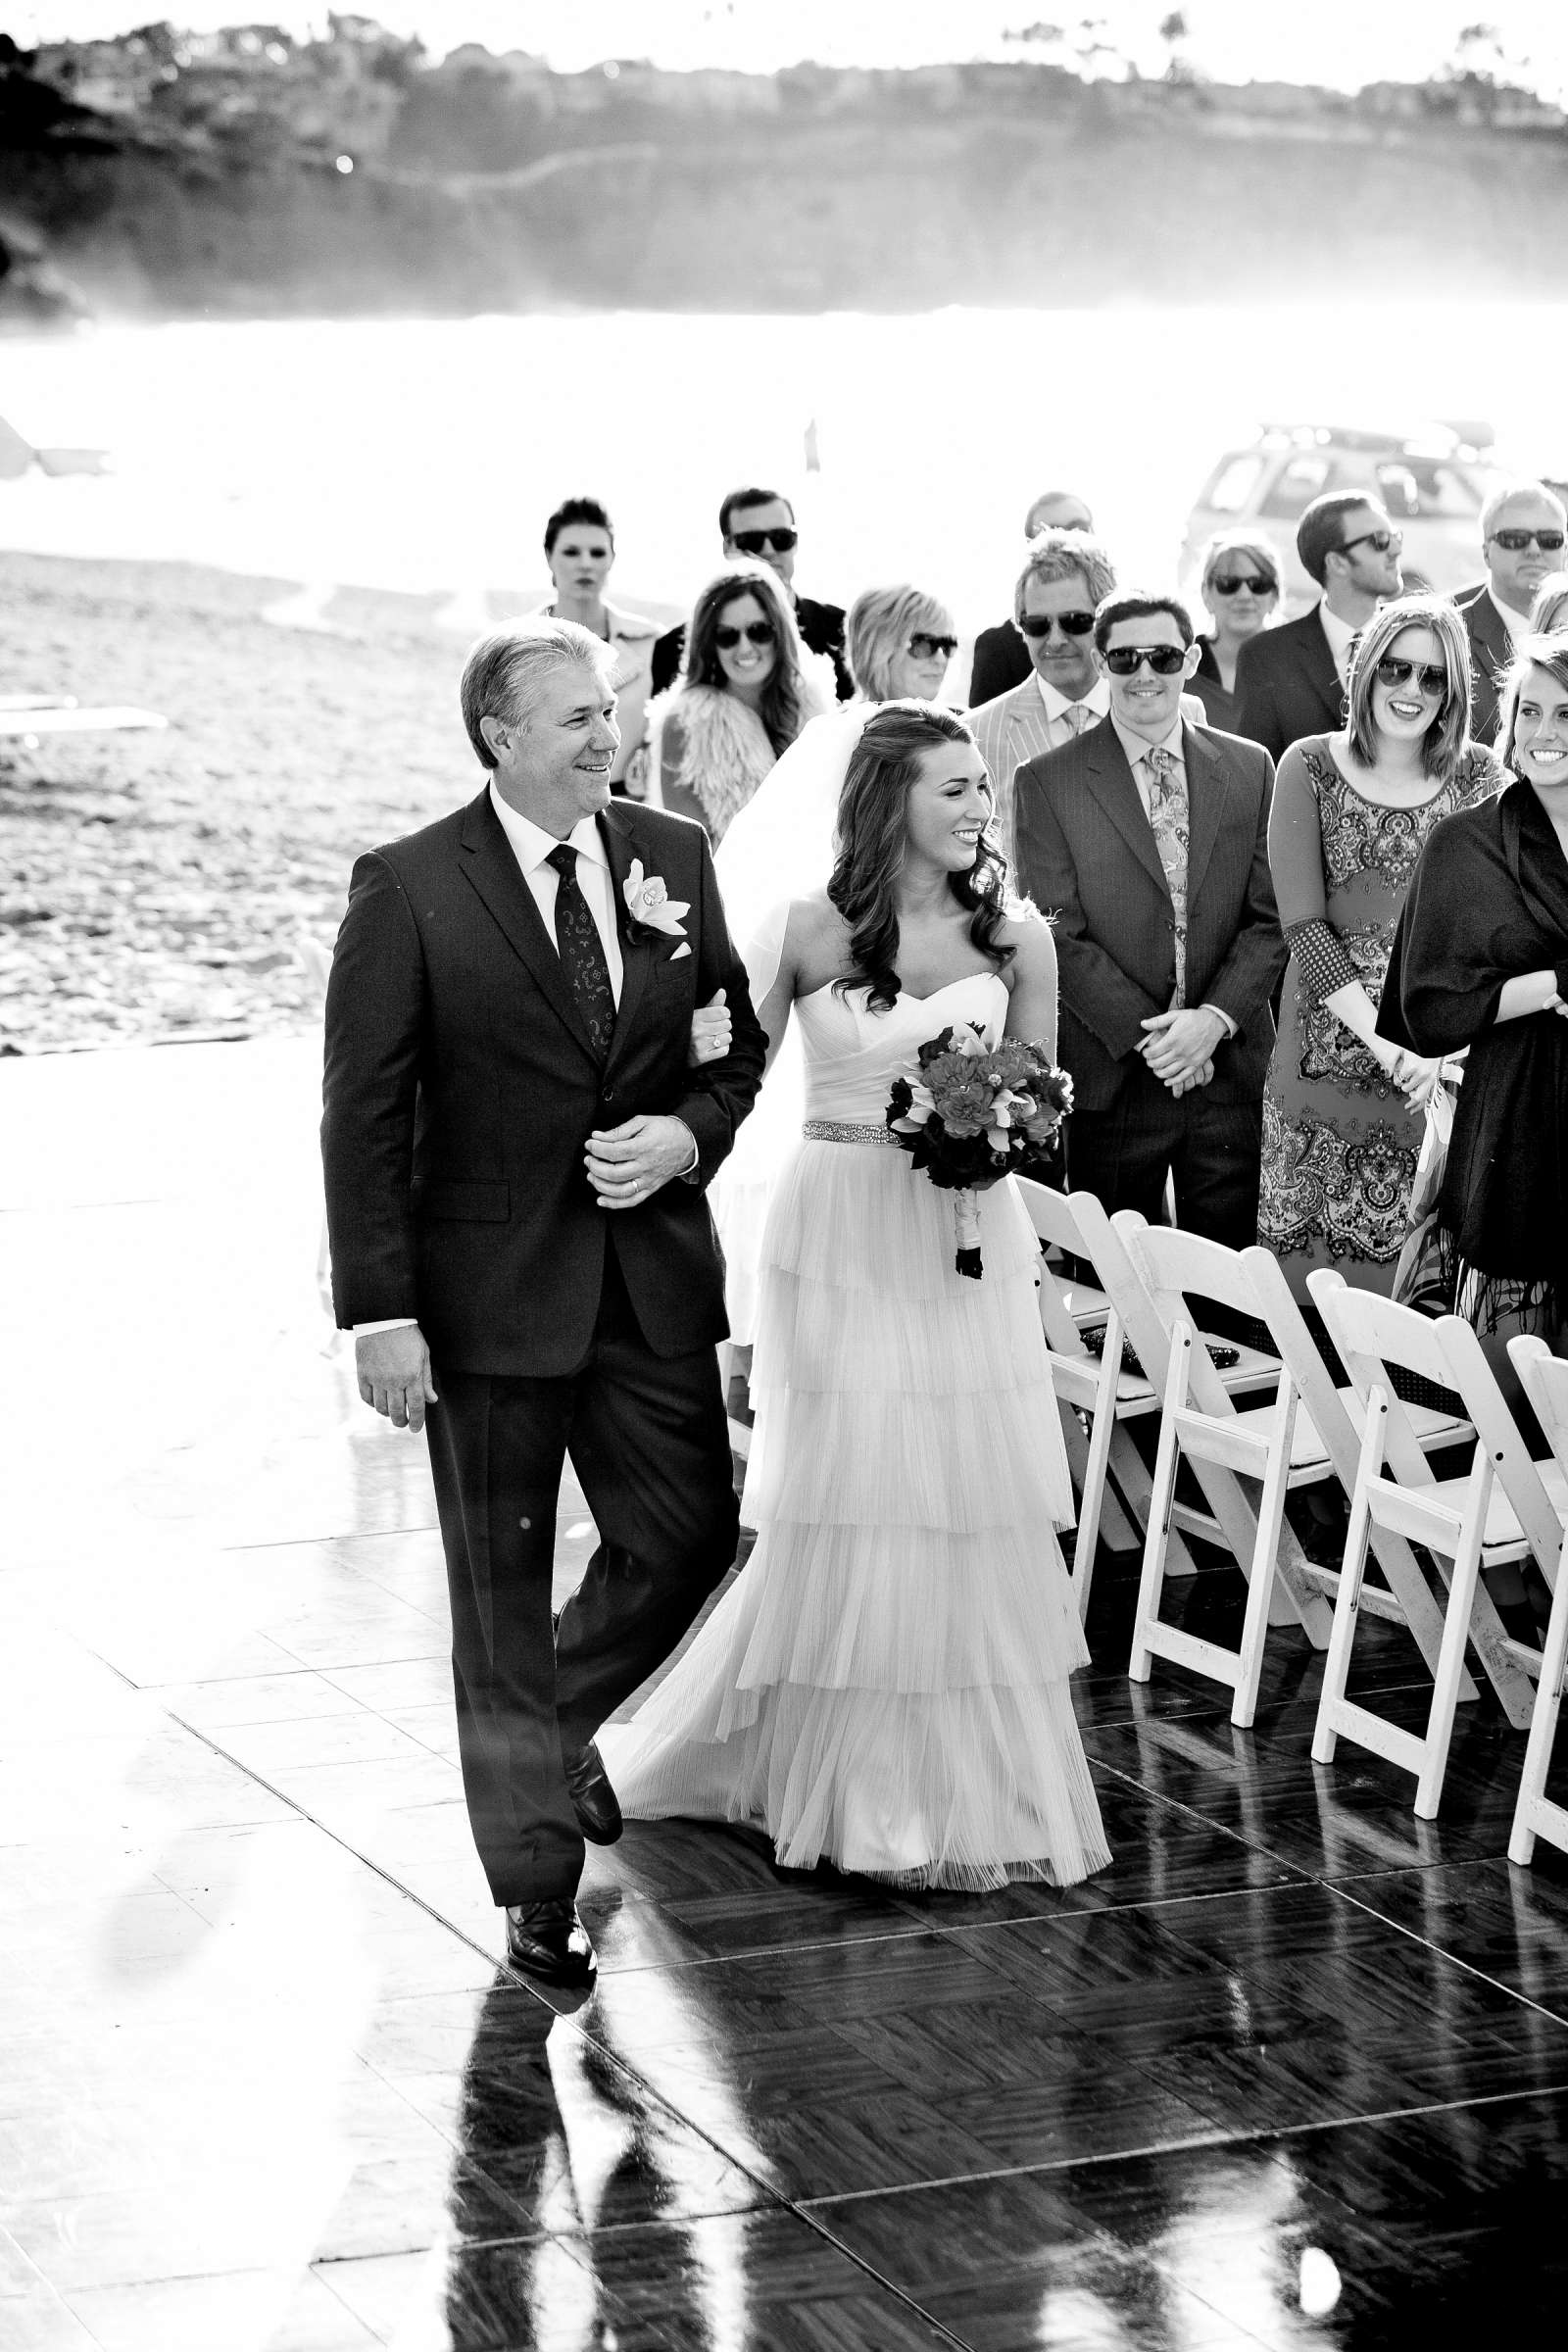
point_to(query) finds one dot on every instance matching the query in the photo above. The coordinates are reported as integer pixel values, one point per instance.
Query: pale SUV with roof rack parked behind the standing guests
(1430, 483)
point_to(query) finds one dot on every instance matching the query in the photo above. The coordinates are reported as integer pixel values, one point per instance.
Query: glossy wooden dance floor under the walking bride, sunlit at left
(1292, 2073)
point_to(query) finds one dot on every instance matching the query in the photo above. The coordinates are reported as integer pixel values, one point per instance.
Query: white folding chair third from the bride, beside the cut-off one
(1499, 1514)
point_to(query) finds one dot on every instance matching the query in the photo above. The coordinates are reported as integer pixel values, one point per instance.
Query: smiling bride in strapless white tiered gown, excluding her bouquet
(885, 1685)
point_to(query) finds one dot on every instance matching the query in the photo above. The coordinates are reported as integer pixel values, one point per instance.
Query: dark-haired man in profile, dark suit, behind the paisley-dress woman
(1292, 679)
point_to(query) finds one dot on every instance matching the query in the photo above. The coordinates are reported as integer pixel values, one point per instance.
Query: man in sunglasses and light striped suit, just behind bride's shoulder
(1054, 606)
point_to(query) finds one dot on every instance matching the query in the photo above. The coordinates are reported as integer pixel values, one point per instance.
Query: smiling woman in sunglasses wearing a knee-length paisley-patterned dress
(1353, 810)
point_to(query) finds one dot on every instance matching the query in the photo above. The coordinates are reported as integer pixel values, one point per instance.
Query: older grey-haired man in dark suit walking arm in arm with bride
(516, 1156)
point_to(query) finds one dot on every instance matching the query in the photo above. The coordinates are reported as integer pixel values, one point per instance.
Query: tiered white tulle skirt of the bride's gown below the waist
(885, 1685)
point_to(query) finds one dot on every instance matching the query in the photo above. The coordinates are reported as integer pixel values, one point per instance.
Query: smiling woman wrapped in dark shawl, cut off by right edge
(1482, 961)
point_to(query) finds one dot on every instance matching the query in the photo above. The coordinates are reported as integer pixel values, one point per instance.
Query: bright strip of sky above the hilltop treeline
(1339, 44)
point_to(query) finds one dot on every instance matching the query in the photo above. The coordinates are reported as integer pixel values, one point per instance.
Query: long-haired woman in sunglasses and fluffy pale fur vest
(746, 693)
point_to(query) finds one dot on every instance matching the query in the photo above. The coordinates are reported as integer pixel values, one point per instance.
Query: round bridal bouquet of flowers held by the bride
(974, 1111)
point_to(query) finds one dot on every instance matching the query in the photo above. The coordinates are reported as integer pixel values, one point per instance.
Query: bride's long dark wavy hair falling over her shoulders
(876, 841)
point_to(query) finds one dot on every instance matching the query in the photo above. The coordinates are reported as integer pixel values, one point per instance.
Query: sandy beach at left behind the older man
(159, 886)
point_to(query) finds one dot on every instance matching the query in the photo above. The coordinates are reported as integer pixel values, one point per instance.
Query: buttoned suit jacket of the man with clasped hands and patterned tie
(1087, 857)
